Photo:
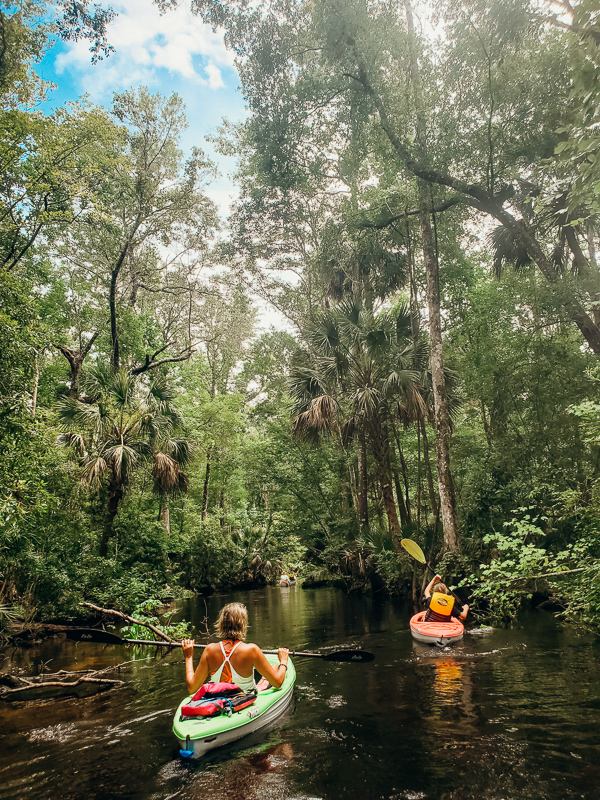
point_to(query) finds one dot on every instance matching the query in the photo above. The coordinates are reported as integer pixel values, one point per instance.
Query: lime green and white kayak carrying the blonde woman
(198, 735)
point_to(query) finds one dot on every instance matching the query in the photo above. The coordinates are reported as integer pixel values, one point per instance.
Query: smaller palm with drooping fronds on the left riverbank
(125, 422)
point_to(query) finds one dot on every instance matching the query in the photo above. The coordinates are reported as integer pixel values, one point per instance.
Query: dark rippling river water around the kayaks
(508, 714)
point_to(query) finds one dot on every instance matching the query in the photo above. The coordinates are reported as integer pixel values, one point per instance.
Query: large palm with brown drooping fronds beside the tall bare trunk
(356, 367)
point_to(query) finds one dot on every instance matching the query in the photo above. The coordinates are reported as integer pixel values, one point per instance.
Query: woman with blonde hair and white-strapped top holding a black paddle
(232, 660)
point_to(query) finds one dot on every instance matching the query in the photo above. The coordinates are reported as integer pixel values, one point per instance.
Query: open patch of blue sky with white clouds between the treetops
(175, 52)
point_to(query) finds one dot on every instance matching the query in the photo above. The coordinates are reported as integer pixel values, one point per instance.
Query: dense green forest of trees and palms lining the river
(154, 440)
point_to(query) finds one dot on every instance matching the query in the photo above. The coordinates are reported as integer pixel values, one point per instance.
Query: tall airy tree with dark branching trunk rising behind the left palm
(137, 245)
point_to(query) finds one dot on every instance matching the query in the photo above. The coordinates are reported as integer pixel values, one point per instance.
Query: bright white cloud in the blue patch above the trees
(146, 42)
